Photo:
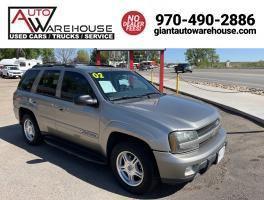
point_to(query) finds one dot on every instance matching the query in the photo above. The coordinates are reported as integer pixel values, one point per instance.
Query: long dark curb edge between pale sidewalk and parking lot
(252, 118)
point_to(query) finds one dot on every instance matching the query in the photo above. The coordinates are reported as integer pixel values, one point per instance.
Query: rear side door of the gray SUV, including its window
(45, 99)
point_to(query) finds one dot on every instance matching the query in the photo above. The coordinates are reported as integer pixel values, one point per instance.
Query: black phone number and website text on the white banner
(225, 24)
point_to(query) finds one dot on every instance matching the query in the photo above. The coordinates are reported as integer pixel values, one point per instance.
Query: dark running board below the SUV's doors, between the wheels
(75, 150)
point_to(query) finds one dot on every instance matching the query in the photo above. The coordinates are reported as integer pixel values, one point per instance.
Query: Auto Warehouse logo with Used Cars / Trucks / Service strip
(35, 23)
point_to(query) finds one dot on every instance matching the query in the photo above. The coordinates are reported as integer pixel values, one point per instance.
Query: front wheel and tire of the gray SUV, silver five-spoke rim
(146, 164)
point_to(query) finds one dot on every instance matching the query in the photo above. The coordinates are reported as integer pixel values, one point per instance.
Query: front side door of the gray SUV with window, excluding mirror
(78, 123)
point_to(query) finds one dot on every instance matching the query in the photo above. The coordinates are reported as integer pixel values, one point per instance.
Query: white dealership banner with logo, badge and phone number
(131, 24)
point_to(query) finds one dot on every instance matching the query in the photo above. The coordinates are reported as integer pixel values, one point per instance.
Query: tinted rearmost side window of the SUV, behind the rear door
(28, 80)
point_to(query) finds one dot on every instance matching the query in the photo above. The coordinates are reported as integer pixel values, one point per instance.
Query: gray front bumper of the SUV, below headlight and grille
(172, 167)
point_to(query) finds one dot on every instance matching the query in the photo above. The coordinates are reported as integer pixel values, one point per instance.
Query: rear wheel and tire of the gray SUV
(32, 135)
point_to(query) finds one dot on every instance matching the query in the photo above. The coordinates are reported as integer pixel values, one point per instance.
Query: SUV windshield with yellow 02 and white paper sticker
(119, 85)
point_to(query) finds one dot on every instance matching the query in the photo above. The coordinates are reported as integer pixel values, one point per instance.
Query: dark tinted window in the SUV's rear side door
(48, 82)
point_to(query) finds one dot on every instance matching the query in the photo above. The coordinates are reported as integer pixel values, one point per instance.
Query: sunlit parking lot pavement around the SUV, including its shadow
(43, 172)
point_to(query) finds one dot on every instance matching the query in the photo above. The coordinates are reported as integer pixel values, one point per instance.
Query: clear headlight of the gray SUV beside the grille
(182, 141)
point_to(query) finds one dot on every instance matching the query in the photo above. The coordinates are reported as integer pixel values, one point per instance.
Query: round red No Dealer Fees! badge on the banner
(133, 22)
